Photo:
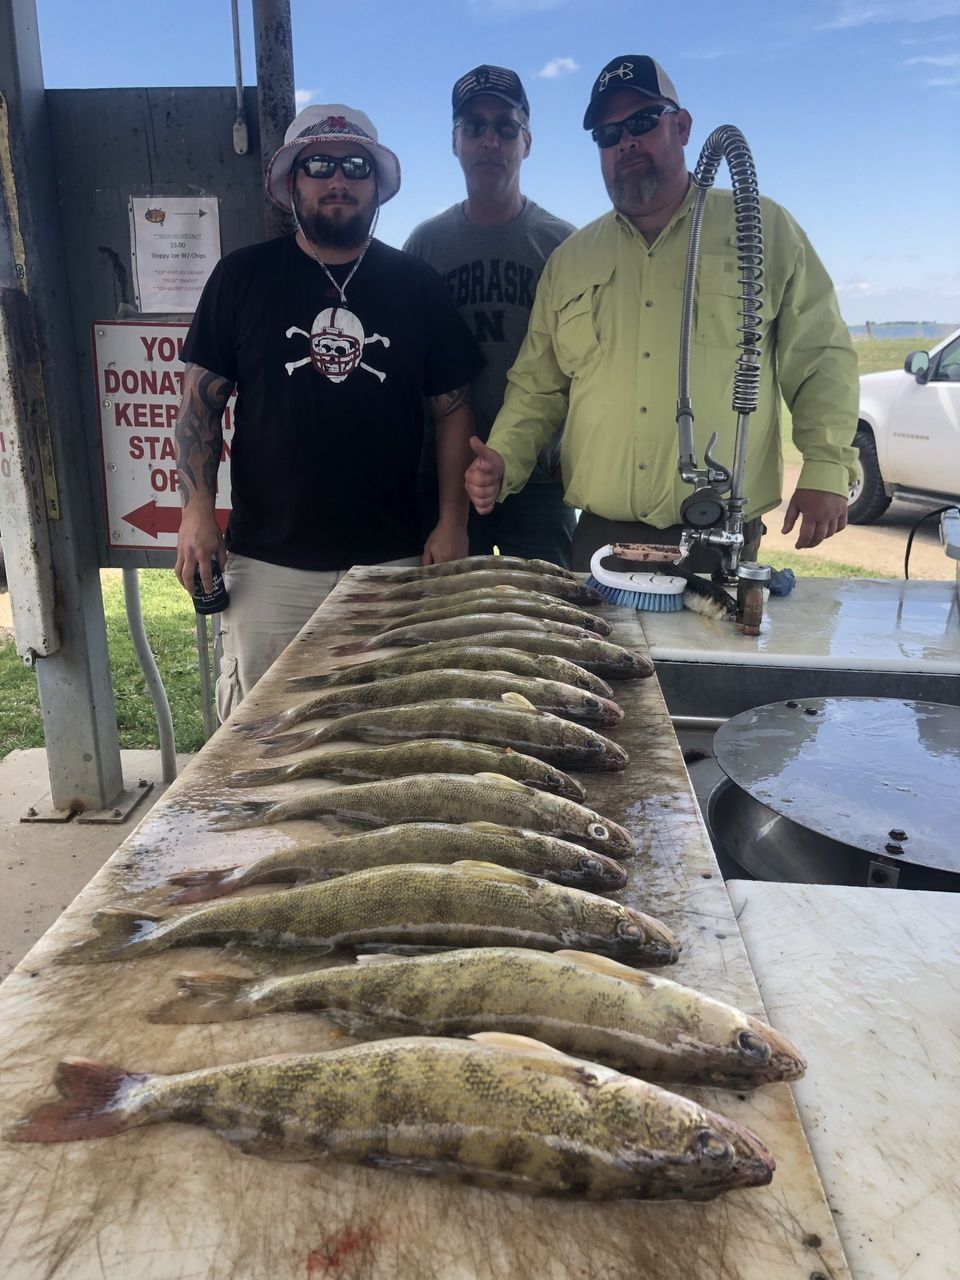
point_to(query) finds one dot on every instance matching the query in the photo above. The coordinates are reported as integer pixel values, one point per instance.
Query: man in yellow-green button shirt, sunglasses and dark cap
(602, 350)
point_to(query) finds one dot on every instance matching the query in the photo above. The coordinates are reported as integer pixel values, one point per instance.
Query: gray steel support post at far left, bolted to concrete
(76, 697)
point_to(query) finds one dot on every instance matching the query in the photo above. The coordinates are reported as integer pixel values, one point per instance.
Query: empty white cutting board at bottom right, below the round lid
(868, 981)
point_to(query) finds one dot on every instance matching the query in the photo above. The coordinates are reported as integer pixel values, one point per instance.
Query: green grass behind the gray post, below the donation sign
(170, 620)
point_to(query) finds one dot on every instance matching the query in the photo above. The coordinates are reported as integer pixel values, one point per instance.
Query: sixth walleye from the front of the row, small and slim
(422, 756)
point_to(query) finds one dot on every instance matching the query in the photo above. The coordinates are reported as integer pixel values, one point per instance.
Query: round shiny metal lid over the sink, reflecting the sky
(880, 774)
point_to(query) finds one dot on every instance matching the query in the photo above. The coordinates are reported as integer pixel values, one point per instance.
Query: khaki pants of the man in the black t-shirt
(269, 605)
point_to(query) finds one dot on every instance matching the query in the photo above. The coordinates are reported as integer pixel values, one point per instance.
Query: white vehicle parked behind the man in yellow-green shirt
(909, 433)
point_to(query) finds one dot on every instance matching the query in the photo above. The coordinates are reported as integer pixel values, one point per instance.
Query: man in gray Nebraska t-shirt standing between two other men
(491, 249)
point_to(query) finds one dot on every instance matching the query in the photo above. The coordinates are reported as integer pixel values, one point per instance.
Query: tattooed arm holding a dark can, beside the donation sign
(199, 438)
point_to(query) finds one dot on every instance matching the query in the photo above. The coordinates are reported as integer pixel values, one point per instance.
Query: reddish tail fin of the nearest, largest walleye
(93, 1105)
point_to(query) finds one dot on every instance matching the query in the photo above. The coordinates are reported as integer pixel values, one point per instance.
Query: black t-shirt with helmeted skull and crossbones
(330, 418)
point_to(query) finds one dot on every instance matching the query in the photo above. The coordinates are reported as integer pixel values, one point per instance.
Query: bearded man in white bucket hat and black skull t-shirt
(332, 341)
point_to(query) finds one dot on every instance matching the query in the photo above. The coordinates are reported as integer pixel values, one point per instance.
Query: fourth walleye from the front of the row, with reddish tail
(445, 843)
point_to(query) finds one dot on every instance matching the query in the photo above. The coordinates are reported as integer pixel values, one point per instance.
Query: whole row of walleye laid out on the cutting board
(511, 1040)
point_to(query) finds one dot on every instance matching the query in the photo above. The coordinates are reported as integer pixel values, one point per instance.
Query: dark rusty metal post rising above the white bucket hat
(273, 43)
